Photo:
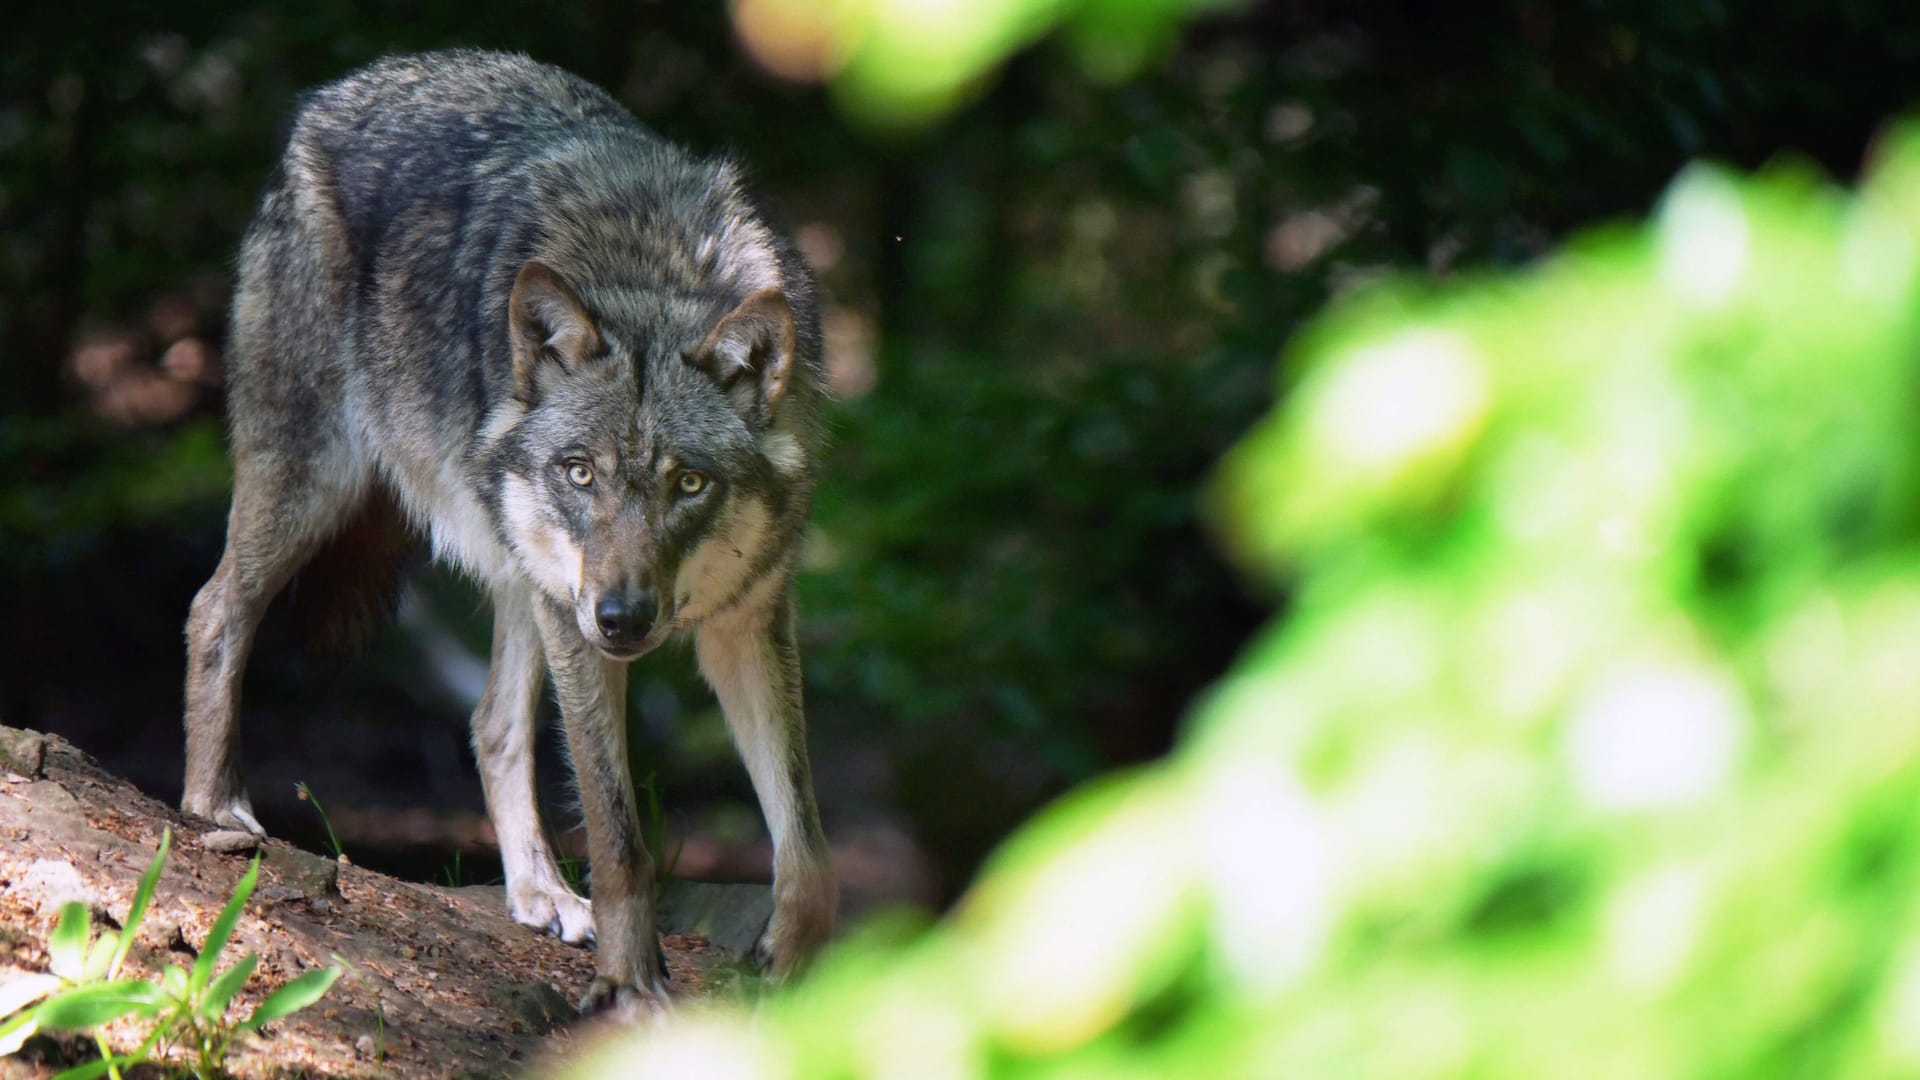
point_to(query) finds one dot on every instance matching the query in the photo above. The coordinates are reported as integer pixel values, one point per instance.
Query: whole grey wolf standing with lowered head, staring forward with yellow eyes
(485, 307)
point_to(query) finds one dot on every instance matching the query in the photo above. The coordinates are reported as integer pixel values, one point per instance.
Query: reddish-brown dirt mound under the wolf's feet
(443, 983)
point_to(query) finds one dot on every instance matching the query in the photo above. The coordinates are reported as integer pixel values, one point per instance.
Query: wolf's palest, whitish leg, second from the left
(504, 745)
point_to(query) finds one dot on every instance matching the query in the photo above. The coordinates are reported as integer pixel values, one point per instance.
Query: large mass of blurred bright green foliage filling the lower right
(1587, 749)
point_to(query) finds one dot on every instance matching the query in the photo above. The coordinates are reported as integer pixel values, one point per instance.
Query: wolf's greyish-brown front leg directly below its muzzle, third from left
(592, 689)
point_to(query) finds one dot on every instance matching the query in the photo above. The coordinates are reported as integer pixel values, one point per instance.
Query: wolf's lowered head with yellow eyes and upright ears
(652, 468)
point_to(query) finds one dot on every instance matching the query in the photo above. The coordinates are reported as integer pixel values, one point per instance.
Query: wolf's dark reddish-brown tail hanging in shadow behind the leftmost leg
(352, 585)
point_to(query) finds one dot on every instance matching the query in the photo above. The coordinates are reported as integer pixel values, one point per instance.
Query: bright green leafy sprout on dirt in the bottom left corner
(189, 1010)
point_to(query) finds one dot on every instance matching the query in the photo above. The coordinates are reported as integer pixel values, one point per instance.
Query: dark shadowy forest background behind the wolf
(1049, 316)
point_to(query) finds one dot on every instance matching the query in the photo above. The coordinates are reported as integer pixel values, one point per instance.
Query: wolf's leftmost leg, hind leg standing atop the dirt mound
(281, 514)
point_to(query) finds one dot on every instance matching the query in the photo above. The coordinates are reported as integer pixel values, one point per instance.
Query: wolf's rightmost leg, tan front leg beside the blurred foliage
(754, 664)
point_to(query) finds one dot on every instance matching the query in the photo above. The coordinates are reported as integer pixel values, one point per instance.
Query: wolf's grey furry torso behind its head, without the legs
(372, 307)
